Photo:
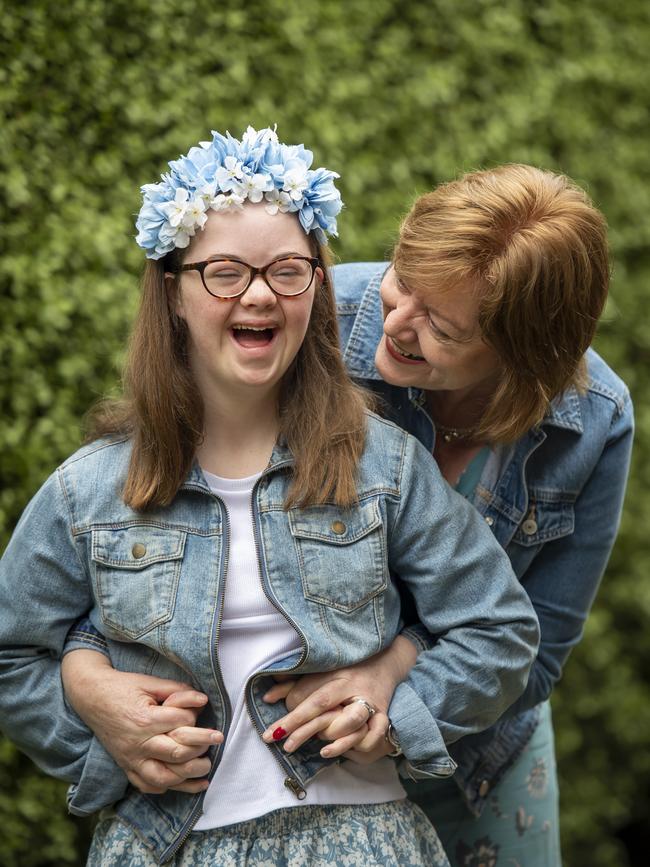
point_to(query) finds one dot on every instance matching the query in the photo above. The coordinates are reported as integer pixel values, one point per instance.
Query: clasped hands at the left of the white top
(146, 723)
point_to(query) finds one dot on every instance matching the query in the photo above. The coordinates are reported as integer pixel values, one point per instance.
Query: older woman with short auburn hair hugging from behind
(476, 337)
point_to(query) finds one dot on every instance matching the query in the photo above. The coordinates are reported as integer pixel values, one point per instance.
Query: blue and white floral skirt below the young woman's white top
(394, 834)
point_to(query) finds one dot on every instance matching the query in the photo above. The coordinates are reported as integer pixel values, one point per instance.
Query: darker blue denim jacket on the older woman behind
(553, 501)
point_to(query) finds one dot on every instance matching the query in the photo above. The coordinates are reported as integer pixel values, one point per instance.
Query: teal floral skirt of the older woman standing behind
(519, 826)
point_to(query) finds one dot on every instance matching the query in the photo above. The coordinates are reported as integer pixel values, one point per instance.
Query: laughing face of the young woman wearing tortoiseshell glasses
(247, 342)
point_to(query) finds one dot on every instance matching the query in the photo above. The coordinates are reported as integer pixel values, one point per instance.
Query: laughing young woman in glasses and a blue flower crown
(242, 515)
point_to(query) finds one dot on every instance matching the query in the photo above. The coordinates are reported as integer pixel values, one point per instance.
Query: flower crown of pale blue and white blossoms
(220, 175)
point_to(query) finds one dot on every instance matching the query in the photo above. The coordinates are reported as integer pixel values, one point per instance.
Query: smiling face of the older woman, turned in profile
(432, 340)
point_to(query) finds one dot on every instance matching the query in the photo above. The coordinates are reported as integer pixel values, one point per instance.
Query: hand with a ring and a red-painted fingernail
(320, 704)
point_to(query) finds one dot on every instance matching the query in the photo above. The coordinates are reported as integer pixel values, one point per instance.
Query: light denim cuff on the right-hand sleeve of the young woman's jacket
(419, 735)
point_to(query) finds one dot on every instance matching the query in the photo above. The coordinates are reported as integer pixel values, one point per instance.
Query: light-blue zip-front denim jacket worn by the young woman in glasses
(153, 583)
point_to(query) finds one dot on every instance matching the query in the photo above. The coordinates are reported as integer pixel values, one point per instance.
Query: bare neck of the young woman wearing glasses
(239, 434)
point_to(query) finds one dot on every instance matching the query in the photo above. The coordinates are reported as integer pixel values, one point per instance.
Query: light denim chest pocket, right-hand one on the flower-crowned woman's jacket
(342, 554)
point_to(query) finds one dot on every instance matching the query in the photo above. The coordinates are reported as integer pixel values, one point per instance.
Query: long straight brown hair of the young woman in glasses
(322, 412)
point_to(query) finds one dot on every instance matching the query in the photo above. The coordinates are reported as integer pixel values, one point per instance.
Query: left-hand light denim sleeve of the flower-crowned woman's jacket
(43, 590)
